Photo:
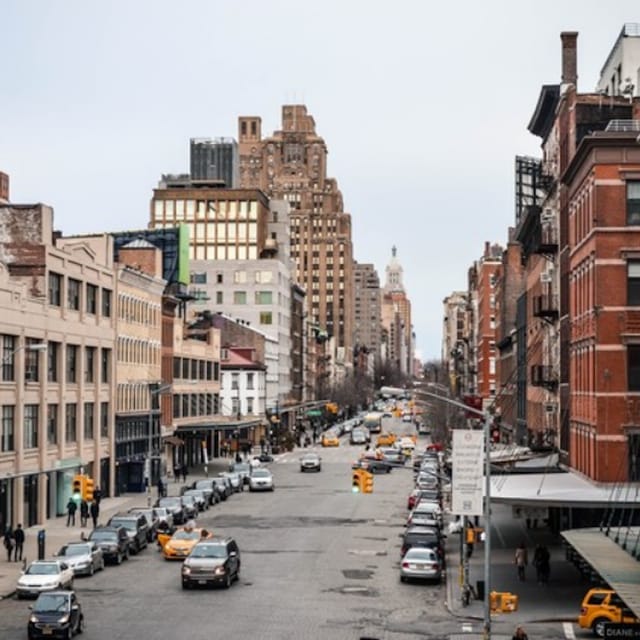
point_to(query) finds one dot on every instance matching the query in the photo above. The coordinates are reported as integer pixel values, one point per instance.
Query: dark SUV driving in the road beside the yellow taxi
(214, 561)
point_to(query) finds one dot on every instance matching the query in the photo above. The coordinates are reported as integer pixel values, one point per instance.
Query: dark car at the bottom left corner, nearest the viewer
(55, 614)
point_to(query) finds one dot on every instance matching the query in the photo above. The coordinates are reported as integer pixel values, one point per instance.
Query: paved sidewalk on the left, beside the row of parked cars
(57, 533)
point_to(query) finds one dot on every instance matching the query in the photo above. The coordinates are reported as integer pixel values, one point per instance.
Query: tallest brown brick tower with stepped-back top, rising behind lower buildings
(291, 165)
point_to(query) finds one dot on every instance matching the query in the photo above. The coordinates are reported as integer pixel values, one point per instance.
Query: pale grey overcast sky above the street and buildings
(423, 107)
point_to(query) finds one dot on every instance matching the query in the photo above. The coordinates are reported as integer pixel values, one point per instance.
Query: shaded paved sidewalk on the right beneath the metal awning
(558, 601)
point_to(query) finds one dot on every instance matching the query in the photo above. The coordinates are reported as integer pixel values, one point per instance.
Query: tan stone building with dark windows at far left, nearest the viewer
(56, 407)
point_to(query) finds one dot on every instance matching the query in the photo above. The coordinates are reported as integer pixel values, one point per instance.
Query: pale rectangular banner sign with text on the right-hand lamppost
(467, 472)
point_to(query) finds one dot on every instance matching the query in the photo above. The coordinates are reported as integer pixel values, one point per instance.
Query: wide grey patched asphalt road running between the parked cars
(318, 562)
